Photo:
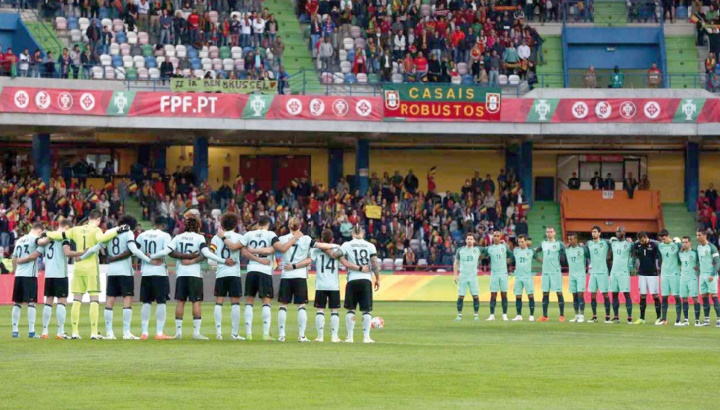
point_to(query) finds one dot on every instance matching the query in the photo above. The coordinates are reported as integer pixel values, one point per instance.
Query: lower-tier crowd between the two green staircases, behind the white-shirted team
(418, 227)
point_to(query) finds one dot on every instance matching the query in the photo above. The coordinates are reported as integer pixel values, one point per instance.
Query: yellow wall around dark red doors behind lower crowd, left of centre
(218, 160)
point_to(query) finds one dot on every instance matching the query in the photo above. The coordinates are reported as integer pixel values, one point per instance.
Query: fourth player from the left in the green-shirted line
(549, 252)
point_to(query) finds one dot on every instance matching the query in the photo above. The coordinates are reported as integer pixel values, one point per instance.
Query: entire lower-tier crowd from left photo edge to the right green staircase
(419, 227)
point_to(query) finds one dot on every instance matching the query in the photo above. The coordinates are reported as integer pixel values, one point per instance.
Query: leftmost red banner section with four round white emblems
(54, 101)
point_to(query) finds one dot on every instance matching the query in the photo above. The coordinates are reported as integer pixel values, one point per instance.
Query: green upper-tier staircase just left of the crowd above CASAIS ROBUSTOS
(297, 56)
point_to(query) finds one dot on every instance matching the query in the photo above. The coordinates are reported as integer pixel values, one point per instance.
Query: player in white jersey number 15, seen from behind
(189, 284)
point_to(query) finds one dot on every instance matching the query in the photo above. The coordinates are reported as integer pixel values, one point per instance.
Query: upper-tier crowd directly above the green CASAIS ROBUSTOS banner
(429, 42)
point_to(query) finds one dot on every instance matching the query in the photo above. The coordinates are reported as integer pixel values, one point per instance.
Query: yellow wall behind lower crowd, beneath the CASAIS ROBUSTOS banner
(453, 166)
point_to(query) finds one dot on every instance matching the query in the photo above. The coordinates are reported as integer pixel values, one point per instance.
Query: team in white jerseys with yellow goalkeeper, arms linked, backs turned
(190, 248)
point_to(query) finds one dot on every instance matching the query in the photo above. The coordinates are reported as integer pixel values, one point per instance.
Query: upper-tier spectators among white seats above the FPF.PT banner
(196, 24)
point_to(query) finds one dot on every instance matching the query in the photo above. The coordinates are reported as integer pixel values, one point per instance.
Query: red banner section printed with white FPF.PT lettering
(194, 105)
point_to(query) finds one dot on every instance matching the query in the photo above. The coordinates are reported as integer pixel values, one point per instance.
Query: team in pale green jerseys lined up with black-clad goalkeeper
(684, 273)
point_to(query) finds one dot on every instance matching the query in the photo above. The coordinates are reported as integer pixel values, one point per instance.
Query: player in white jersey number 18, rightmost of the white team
(359, 288)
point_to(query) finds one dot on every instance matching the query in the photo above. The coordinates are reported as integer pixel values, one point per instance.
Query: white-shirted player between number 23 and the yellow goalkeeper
(56, 255)
